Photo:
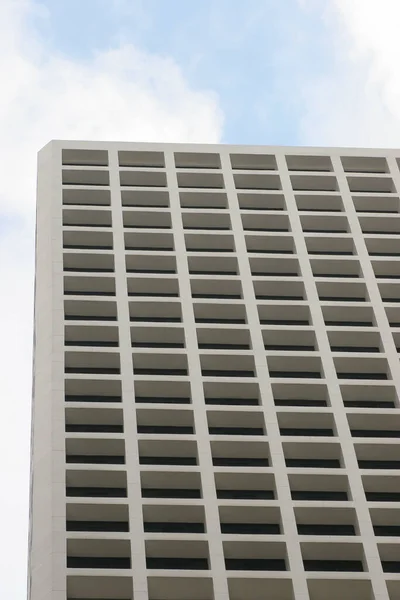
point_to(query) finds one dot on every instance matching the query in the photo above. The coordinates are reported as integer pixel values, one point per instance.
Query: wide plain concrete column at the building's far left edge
(47, 536)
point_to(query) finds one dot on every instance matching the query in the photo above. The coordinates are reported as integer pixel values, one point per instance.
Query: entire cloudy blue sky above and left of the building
(290, 72)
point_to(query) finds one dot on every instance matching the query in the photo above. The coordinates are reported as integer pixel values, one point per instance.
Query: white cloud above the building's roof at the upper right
(357, 101)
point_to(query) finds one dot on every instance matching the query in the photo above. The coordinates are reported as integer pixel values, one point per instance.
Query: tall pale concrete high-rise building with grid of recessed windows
(216, 373)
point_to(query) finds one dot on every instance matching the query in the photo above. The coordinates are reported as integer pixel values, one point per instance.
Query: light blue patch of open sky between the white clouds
(240, 50)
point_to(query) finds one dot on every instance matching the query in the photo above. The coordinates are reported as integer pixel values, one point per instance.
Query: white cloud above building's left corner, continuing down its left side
(119, 94)
